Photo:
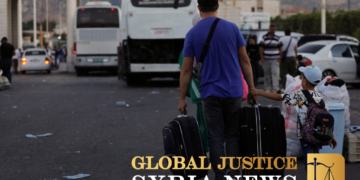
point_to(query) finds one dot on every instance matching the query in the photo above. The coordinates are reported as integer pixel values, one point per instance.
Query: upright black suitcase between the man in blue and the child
(262, 134)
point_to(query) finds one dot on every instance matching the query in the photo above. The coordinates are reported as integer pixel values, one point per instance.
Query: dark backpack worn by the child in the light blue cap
(319, 124)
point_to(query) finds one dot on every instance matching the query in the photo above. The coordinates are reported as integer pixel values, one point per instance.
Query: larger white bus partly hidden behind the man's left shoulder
(152, 35)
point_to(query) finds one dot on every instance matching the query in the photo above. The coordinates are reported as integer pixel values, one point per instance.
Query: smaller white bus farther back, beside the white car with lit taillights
(97, 36)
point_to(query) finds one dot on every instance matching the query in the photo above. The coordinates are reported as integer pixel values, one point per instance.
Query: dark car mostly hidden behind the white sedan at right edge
(318, 37)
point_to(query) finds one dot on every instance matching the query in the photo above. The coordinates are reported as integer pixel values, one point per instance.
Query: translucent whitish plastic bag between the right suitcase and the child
(290, 115)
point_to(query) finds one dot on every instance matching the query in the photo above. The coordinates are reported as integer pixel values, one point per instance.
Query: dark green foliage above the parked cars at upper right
(337, 23)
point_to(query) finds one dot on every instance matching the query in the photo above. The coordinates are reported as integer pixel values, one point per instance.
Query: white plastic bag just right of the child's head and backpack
(335, 91)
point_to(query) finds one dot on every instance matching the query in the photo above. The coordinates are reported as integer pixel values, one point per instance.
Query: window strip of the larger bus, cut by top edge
(159, 3)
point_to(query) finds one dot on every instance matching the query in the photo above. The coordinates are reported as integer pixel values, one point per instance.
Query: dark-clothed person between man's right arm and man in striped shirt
(253, 52)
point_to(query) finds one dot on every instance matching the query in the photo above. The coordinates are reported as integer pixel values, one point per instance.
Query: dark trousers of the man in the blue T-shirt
(222, 116)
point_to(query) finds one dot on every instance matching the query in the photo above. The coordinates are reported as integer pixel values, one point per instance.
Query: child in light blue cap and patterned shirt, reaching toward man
(310, 77)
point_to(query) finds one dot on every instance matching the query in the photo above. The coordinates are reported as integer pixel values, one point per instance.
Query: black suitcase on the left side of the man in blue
(182, 137)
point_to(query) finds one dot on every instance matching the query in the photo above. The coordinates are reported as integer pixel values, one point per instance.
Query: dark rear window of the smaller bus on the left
(97, 18)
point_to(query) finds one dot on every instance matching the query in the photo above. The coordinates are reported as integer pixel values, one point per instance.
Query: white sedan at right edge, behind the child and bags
(334, 58)
